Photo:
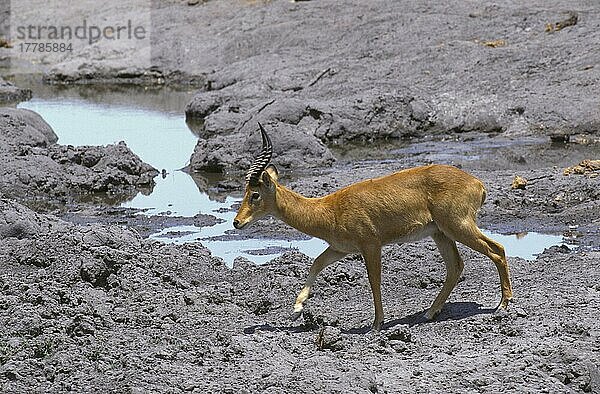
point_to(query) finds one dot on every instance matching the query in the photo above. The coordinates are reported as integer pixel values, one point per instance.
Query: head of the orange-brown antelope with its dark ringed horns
(261, 184)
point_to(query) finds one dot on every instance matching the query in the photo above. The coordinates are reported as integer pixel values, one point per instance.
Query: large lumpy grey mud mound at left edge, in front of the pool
(34, 165)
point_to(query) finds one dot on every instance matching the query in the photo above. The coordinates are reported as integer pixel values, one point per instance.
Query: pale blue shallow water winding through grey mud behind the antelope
(161, 138)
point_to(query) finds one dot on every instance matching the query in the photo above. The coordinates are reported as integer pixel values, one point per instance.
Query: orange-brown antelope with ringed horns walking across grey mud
(436, 200)
